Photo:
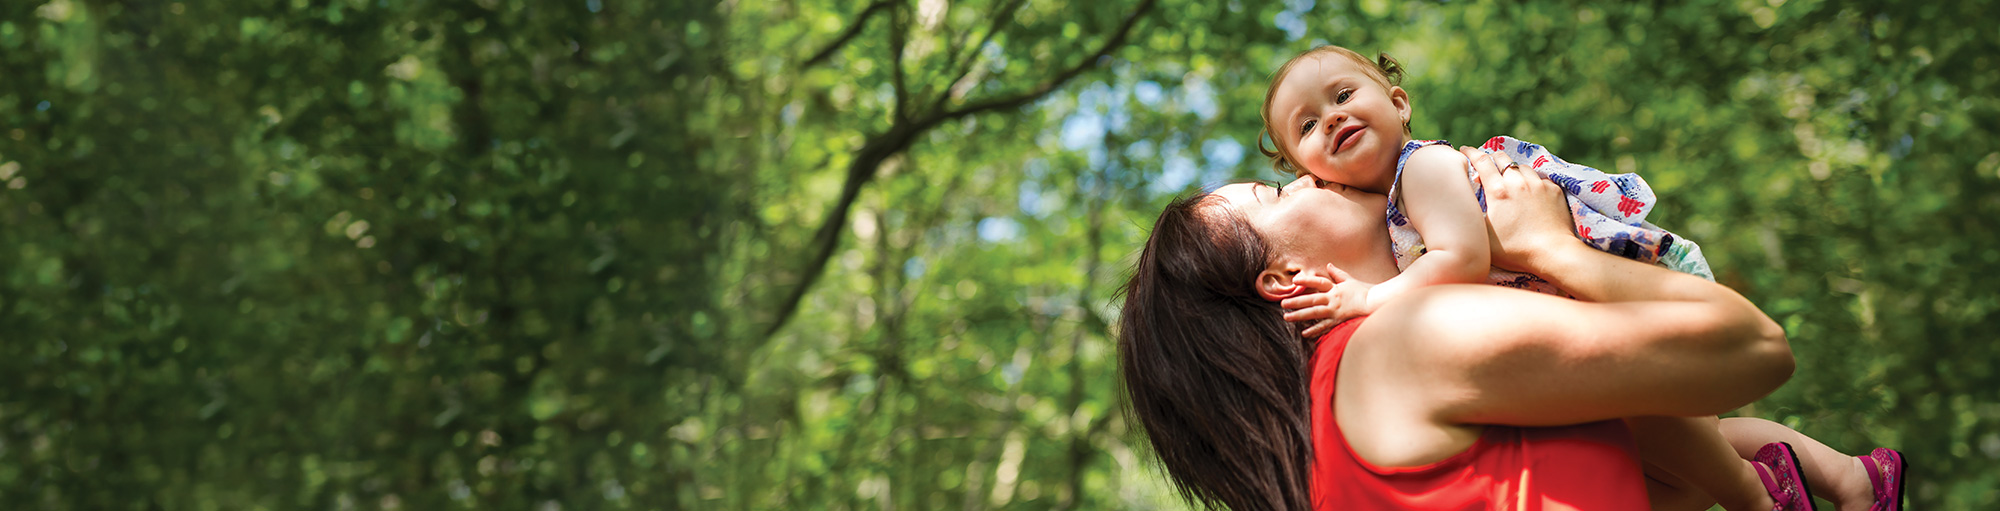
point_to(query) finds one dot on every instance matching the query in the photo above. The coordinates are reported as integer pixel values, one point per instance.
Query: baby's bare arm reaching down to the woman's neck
(1441, 207)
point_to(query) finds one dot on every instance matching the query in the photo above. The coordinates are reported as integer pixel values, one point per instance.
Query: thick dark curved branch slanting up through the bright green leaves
(901, 135)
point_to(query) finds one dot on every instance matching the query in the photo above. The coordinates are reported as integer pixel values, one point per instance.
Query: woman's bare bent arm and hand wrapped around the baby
(1647, 342)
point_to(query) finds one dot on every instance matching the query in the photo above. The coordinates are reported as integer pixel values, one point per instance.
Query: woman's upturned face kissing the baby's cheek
(1313, 227)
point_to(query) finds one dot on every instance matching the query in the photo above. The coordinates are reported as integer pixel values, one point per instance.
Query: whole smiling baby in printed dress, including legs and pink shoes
(1341, 119)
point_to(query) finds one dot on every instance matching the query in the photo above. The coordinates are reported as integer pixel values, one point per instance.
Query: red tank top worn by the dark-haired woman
(1591, 466)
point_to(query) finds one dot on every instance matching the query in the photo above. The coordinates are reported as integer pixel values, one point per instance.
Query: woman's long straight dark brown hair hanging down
(1213, 372)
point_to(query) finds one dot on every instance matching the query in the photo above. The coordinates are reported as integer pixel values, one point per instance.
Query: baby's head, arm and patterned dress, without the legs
(1341, 119)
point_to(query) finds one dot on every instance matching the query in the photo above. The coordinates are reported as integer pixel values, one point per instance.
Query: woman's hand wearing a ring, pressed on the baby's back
(1527, 215)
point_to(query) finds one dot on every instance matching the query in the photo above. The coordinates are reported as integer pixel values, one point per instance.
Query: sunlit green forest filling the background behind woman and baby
(619, 255)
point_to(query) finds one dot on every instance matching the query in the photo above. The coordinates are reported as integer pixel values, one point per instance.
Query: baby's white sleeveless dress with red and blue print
(1609, 209)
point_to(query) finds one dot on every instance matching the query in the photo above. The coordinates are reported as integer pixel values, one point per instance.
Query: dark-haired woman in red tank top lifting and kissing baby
(1453, 396)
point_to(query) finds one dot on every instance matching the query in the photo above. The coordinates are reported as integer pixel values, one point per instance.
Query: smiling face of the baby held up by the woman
(1339, 123)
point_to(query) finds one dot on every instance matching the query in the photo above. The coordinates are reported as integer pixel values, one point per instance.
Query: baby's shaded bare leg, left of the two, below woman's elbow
(1695, 450)
